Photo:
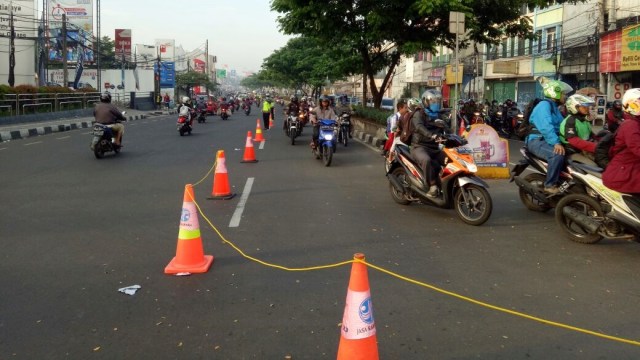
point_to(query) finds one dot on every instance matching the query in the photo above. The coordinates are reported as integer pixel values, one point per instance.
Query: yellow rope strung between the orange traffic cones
(416, 282)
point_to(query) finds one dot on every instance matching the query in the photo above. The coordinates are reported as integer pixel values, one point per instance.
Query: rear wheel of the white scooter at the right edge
(585, 205)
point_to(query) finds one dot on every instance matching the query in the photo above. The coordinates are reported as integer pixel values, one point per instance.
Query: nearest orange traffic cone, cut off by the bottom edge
(358, 335)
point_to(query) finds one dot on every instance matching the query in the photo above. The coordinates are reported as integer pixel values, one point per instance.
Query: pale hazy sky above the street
(241, 33)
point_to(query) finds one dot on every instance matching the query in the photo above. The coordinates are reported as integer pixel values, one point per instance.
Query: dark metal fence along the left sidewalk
(21, 104)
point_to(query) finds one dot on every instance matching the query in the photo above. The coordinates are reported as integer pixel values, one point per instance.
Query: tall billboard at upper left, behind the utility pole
(79, 16)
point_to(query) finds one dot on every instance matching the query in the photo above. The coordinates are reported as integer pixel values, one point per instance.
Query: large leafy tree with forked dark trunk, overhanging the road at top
(381, 31)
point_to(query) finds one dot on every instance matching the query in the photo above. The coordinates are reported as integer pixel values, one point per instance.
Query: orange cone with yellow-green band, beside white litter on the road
(189, 254)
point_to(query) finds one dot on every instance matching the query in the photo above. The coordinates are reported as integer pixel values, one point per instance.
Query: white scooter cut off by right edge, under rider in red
(600, 213)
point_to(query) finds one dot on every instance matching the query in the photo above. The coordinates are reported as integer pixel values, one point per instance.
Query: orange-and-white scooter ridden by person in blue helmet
(460, 188)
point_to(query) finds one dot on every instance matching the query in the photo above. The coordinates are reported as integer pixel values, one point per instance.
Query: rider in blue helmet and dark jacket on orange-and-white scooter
(425, 148)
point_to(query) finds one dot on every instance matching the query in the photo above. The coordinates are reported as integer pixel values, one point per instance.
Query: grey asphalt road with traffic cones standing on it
(74, 230)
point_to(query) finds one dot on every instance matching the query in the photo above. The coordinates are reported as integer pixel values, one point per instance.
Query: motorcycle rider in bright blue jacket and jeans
(544, 141)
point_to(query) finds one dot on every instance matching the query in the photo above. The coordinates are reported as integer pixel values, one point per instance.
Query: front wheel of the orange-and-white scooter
(478, 209)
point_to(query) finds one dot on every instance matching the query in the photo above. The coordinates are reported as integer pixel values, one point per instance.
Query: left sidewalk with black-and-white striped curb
(30, 129)
